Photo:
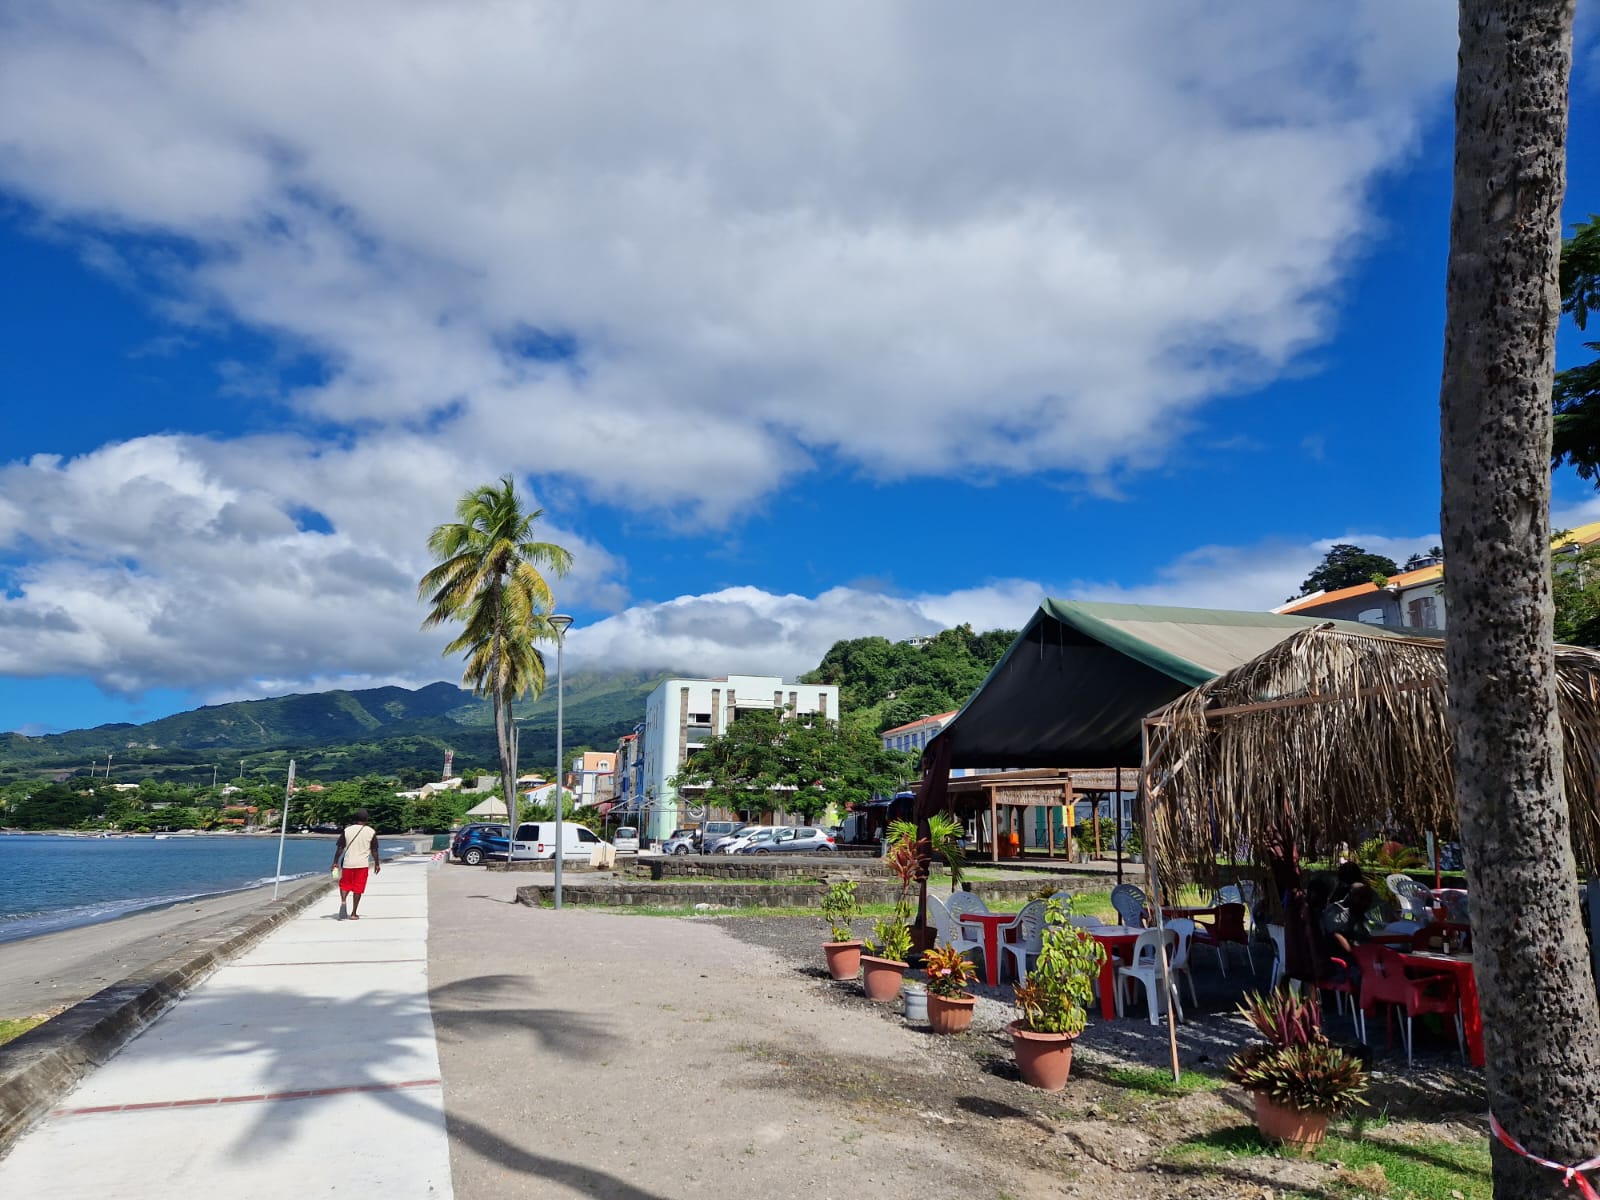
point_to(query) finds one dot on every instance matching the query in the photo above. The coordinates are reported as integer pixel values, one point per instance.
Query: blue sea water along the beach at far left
(50, 882)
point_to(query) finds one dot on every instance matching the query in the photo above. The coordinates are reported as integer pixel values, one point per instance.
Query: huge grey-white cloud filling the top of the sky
(908, 234)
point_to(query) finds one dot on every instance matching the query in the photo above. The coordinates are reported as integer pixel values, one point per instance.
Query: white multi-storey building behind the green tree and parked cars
(684, 714)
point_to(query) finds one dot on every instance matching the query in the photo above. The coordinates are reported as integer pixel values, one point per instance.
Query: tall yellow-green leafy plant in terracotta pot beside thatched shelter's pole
(1055, 1001)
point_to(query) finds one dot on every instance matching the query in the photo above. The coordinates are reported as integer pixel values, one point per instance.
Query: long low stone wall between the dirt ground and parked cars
(732, 895)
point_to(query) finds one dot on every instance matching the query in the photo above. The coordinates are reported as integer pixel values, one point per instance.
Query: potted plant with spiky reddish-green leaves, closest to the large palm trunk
(1298, 1078)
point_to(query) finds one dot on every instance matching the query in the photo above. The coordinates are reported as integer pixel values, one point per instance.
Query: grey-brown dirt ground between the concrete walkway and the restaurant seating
(647, 1058)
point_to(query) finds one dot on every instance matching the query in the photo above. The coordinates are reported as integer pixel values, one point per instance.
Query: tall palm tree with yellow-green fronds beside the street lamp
(489, 580)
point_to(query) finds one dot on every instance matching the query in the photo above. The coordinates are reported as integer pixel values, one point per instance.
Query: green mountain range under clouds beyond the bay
(338, 735)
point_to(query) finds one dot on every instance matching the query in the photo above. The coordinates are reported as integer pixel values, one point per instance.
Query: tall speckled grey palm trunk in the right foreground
(1538, 998)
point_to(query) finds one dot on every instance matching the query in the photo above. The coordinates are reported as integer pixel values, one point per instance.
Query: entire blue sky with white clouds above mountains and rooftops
(874, 327)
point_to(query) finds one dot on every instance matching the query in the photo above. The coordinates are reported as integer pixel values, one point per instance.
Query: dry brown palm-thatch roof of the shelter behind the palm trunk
(1346, 735)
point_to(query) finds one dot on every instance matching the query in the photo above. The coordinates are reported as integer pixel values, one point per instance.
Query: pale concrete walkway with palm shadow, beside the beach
(305, 1068)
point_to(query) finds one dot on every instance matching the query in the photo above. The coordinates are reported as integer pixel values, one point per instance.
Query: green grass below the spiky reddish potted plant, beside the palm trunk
(1399, 1170)
